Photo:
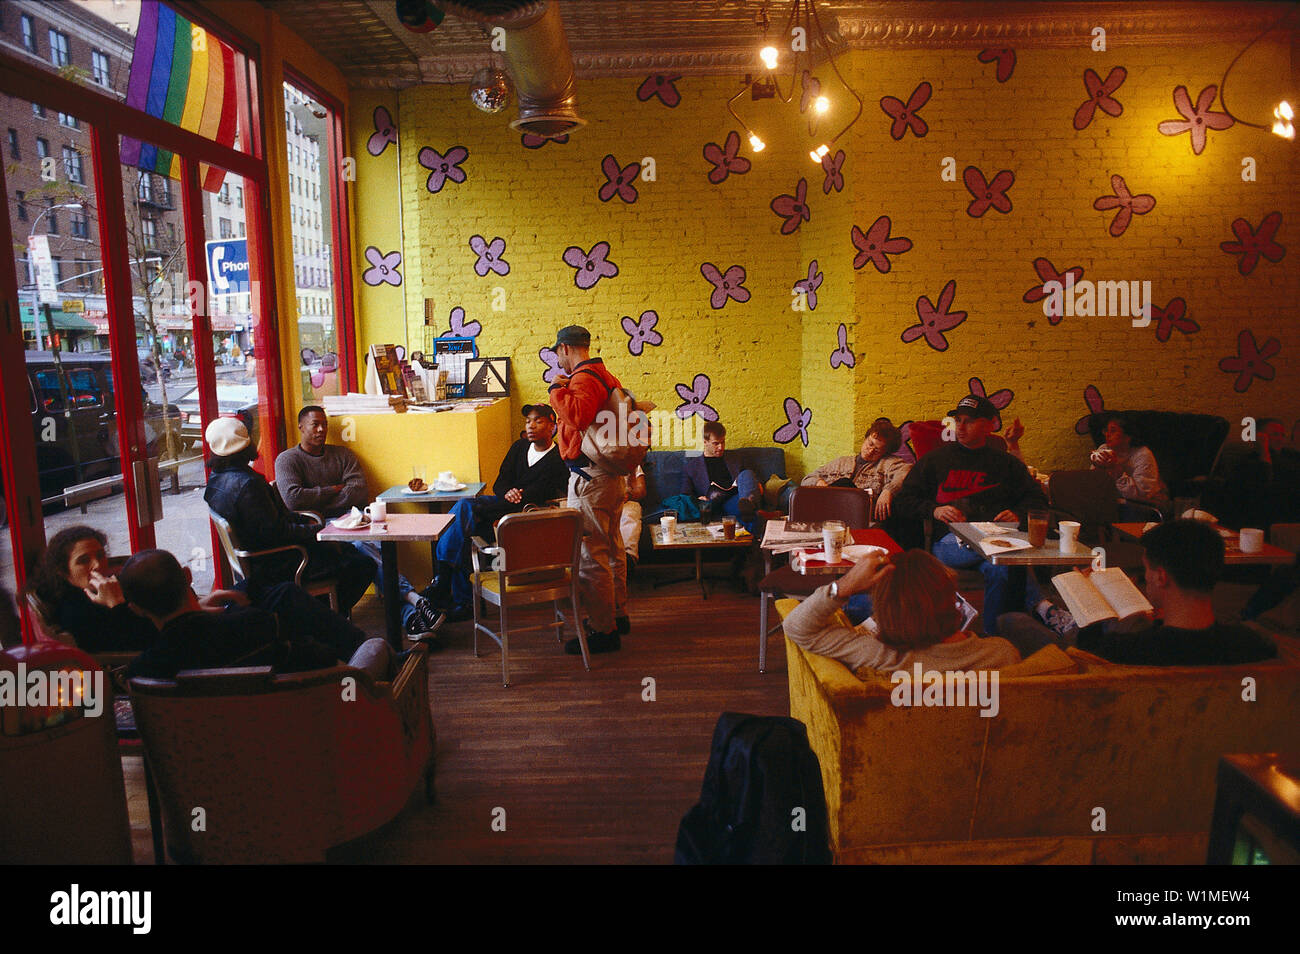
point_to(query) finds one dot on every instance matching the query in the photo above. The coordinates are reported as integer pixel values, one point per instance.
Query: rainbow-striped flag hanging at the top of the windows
(184, 75)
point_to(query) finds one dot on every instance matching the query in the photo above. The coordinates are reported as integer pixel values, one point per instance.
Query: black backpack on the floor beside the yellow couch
(761, 770)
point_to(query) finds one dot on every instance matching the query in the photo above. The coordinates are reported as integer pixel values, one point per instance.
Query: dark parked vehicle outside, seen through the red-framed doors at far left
(75, 419)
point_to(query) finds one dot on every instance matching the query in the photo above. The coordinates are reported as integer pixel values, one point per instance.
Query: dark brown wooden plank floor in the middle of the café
(584, 769)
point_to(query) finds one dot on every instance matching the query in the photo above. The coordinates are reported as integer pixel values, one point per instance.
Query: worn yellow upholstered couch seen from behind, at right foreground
(1106, 765)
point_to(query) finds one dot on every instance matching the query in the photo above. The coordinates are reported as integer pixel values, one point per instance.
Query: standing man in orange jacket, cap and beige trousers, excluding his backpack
(578, 396)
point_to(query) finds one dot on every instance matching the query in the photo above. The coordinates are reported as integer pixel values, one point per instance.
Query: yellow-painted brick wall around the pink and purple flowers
(762, 353)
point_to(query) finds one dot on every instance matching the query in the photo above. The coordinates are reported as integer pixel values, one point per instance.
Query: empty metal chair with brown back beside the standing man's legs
(536, 561)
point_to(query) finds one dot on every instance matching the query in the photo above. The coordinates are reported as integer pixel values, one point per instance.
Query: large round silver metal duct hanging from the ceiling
(539, 59)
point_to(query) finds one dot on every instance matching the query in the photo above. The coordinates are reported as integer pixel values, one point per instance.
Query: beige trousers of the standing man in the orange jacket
(604, 571)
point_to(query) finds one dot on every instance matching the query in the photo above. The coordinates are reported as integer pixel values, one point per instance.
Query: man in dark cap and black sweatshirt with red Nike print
(968, 482)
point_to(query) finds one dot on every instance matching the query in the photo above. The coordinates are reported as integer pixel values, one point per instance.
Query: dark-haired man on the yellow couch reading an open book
(1182, 562)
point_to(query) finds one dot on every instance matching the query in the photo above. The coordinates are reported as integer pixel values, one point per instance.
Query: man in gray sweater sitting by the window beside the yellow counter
(328, 479)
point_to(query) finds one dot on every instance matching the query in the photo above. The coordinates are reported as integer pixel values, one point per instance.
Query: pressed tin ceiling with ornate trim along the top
(365, 40)
